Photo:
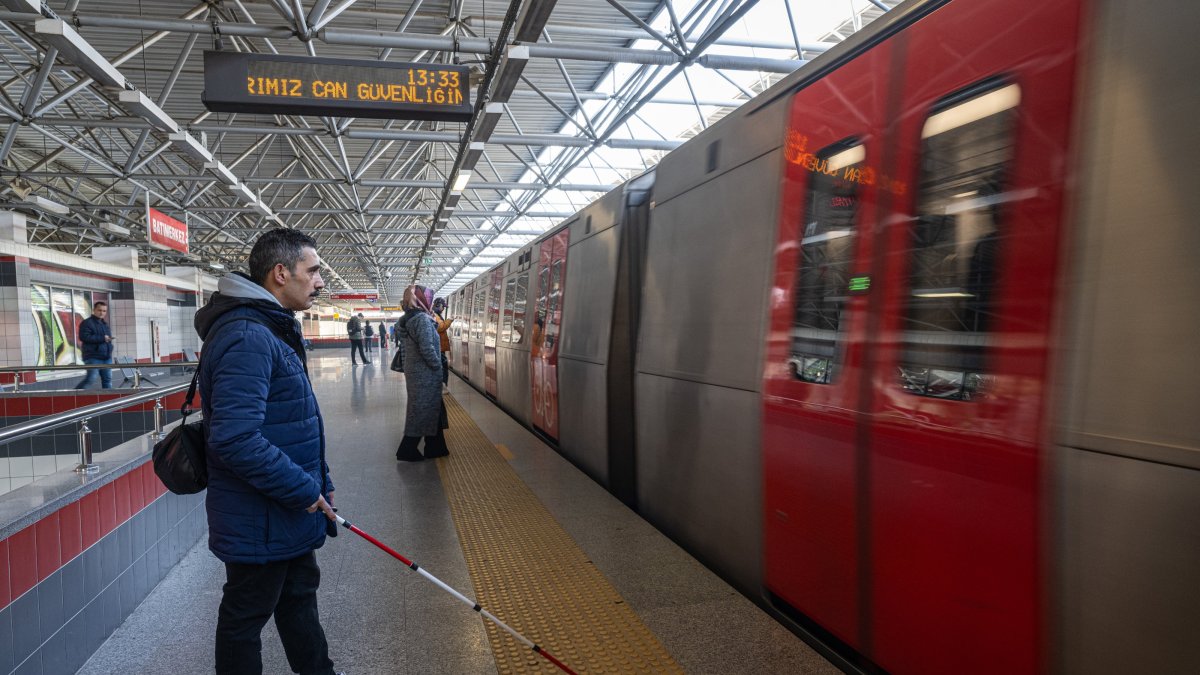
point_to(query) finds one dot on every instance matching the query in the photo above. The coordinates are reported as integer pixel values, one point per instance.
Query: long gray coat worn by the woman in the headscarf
(423, 374)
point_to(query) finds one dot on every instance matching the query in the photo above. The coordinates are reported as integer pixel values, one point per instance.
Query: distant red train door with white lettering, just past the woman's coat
(548, 324)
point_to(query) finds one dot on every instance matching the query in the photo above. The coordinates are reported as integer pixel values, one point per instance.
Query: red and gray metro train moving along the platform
(907, 348)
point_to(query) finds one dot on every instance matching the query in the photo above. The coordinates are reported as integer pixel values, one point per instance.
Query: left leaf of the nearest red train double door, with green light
(813, 558)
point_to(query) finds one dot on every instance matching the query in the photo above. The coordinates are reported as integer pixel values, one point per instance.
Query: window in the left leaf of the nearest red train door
(827, 254)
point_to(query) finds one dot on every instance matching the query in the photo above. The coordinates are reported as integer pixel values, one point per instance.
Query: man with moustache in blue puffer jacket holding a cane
(269, 489)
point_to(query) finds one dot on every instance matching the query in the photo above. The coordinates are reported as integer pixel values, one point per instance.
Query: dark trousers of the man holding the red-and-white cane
(253, 594)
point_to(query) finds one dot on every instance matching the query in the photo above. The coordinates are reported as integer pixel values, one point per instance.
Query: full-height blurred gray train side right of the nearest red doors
(1127, 481)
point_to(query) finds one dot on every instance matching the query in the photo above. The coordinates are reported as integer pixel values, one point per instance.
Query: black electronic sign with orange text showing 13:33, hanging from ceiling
(237, 82)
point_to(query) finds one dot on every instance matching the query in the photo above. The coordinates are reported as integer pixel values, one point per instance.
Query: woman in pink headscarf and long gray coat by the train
(425, 415)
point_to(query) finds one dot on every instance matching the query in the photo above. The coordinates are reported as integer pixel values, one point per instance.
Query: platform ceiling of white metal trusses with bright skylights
(101, 111)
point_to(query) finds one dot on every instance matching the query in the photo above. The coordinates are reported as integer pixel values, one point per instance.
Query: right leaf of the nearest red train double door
(957, 384)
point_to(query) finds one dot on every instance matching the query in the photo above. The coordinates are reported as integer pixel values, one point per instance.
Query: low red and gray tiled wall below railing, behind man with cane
(71, 580)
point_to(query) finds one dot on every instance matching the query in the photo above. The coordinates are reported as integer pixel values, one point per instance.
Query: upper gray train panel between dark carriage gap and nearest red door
(709, 277)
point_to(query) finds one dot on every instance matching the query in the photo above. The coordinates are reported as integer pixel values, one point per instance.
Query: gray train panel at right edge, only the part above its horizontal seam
(1139, 282)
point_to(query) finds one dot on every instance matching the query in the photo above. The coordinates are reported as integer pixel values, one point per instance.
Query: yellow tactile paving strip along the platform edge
(531, 575)
